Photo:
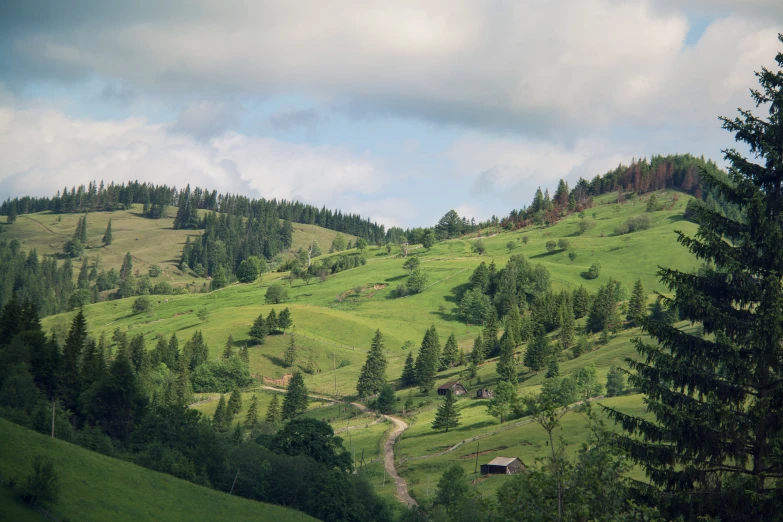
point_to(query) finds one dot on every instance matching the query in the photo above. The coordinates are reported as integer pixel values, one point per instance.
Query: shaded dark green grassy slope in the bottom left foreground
(95, 487)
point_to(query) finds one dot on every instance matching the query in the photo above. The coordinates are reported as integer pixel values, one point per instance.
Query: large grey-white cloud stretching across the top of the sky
(525, 65)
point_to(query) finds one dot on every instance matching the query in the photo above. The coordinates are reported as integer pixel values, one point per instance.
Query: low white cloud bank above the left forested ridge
(44, 150)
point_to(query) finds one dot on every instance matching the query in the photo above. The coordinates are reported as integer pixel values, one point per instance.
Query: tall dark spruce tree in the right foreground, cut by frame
(713, 449)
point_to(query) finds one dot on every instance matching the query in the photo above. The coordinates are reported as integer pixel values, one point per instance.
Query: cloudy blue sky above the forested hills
(398, 111)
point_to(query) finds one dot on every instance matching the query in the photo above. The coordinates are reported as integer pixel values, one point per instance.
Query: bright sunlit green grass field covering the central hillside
(336, 319)
